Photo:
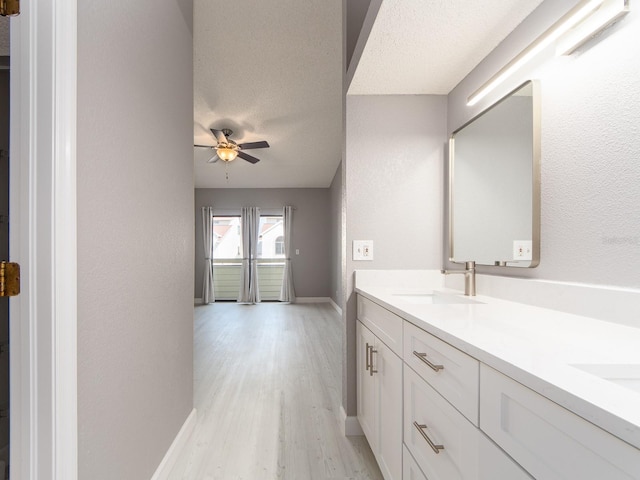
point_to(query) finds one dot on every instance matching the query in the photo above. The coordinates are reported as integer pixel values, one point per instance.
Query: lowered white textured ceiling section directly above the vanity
(429, 46)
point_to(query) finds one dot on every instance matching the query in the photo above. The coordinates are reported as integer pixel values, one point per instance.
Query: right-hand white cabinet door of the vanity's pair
(388, 374)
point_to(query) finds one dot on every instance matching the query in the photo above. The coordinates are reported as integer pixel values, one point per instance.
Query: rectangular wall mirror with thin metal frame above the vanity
(494, 184)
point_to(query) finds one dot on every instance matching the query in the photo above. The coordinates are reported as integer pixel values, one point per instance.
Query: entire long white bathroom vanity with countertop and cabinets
(455, 387)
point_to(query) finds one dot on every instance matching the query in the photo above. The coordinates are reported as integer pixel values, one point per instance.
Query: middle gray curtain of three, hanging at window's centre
(250, 219)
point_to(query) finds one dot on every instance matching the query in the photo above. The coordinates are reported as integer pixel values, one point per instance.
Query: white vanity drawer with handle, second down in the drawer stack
(426, 411)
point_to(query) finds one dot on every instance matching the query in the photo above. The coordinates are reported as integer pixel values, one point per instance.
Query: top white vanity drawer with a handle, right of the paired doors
(457, 380)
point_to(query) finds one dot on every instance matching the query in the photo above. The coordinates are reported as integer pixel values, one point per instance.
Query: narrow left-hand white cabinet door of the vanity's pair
(366, 392)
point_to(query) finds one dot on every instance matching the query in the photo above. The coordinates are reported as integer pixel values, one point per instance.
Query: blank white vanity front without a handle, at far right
(549, 441)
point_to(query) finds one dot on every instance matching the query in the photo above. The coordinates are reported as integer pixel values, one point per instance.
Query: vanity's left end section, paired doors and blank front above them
(379, 386)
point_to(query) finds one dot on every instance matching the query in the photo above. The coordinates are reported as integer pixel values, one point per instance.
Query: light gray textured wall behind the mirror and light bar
(590, 226)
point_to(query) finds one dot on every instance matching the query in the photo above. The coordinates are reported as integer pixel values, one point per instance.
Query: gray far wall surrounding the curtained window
(311, 230)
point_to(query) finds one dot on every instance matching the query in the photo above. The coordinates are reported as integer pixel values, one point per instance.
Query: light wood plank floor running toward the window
(267, 390)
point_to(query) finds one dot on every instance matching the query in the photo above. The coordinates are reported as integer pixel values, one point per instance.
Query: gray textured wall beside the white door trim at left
(135, 233)
